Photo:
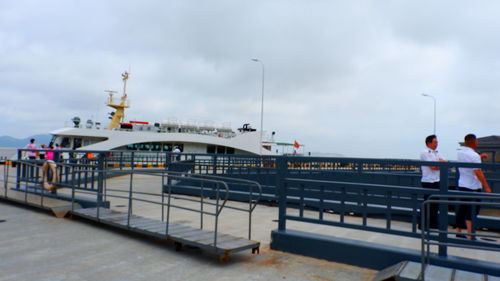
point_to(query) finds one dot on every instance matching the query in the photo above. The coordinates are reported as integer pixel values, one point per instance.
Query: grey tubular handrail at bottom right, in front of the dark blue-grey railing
(426, 237)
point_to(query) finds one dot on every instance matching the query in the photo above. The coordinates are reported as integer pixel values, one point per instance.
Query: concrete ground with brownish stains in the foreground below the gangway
(38, 246)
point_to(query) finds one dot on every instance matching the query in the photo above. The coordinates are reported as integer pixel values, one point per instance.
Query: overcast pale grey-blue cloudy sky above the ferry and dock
(340, 76)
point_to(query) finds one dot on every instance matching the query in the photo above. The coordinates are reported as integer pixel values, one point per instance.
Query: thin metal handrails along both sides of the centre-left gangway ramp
(215, 186)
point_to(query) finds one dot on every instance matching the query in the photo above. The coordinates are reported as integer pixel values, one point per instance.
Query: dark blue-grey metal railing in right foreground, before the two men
(331, 198)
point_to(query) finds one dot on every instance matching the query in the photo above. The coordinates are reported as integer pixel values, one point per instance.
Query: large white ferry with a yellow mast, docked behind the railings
(160, 136)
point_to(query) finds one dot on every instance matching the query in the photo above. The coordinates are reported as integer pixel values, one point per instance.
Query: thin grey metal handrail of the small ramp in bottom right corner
(439, 237)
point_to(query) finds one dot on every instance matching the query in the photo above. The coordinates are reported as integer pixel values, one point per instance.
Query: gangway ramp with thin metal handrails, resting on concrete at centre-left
(181, 234)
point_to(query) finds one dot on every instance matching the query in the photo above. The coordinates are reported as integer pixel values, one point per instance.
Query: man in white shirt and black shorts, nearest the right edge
(470, 180)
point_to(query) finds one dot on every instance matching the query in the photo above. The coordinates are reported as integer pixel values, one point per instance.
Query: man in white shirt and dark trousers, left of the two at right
(430, 174)
